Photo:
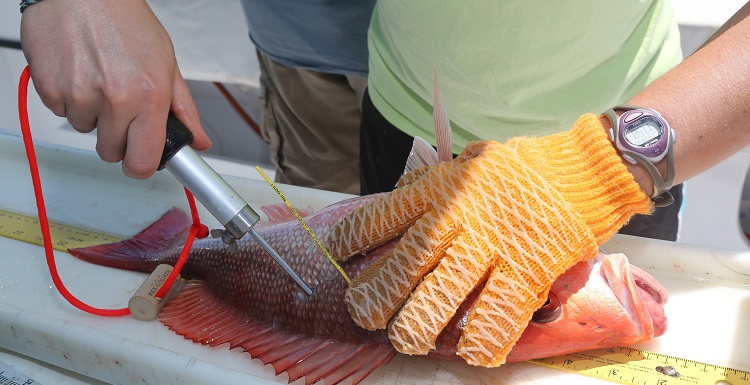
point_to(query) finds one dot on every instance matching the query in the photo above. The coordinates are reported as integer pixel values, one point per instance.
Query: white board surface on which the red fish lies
(708, 311)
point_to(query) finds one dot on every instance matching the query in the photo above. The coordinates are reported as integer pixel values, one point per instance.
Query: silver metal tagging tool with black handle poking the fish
(214, 193)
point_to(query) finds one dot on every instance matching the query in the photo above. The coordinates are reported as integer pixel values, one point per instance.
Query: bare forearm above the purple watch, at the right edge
(705, 99)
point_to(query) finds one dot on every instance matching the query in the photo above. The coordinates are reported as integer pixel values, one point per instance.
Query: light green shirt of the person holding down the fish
(514, 67)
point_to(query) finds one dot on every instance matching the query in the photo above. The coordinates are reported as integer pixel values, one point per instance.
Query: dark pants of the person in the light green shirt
(384, 149)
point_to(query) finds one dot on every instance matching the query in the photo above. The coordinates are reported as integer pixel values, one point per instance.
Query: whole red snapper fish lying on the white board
(245, 299)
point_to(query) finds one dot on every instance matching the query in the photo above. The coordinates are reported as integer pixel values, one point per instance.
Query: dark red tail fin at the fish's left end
(140, 252)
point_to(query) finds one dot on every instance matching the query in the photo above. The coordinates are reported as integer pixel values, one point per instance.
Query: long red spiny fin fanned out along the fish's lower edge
(197, 315)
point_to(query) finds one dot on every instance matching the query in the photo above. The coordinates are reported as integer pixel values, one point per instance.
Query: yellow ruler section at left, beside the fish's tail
(26, 229)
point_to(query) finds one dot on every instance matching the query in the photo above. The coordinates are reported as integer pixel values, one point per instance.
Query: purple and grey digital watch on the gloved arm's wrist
(643, 137)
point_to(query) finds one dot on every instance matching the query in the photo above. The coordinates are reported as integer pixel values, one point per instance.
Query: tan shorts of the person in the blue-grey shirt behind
(311, 121)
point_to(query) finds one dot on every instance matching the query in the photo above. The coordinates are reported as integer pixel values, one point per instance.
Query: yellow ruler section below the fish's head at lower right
(639, 367)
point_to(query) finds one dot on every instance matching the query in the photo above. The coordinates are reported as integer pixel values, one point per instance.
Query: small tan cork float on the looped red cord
(144, 305)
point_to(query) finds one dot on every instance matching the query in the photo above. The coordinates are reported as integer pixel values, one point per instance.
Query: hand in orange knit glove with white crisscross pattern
(511, 217)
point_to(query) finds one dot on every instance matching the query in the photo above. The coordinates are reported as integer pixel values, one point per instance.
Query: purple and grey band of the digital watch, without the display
(660, 195)
